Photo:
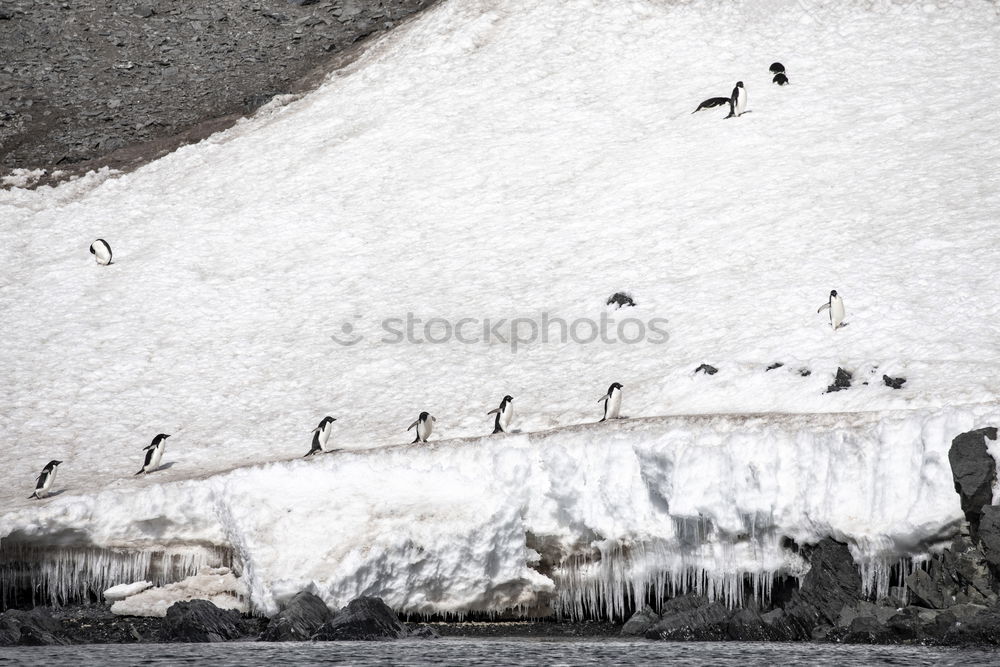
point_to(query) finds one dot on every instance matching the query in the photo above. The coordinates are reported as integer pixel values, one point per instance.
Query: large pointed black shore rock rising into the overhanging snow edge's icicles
(832, 582)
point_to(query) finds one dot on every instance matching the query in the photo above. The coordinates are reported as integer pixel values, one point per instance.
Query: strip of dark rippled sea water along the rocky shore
(496, 652)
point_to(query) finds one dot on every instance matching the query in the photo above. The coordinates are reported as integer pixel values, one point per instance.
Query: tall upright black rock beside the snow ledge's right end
(974, 472)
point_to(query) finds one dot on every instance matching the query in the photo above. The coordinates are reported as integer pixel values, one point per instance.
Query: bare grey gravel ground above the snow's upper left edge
(82, 79)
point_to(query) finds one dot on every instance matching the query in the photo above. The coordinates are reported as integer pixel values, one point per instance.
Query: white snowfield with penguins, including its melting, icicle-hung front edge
(513, 159)
